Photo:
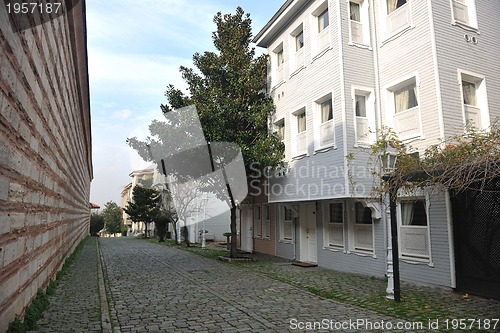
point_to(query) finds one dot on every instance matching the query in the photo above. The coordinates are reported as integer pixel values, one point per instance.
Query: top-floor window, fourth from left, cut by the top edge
(359, 22)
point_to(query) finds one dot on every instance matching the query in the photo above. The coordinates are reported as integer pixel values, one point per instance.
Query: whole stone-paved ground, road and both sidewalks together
(153, 288)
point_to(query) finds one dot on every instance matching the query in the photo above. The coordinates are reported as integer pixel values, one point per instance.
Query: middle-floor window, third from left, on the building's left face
(325, 136)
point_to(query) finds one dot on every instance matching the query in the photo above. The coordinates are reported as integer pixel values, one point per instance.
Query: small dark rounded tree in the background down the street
(144, 207)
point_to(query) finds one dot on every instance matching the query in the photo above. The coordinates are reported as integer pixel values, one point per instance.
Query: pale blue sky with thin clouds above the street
(135, 49)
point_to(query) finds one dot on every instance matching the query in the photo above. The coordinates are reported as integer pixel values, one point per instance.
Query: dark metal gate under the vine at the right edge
(476, 220)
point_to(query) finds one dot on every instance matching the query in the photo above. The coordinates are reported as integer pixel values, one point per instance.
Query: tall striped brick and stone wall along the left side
(45, 153)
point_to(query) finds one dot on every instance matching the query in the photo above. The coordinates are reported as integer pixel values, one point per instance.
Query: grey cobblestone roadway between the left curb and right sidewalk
(162, 289)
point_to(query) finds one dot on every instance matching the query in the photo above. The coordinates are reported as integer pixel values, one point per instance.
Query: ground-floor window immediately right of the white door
(334, 224)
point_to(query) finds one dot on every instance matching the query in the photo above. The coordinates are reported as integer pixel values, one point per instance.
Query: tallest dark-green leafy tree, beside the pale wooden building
(229, 92)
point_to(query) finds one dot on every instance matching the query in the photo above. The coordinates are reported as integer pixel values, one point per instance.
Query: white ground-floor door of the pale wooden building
(308, 248)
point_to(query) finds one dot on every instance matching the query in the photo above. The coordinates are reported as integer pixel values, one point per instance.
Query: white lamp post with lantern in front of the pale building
(389, 160)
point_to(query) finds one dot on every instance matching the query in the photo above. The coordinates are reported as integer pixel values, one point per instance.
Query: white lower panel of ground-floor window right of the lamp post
(414, 241)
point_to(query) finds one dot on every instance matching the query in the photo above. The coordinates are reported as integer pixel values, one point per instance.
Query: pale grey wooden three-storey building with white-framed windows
(339, 72)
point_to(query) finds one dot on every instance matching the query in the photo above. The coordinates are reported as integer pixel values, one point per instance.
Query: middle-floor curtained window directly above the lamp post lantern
(406, 111)
